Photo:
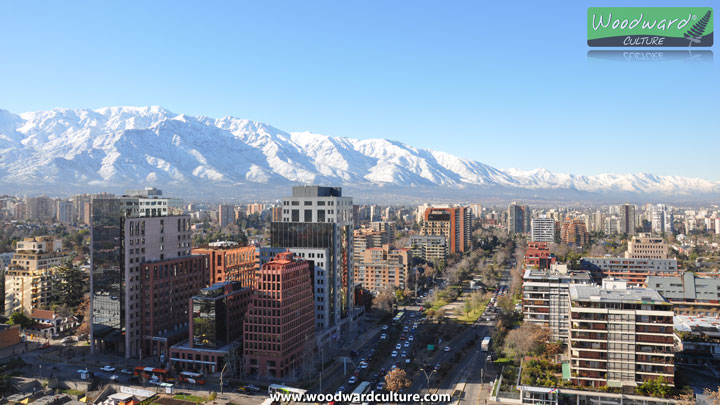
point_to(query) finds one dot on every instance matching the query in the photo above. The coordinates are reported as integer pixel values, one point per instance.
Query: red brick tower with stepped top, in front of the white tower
(280, 324)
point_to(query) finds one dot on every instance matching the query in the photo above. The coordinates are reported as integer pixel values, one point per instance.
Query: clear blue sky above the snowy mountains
(507, 83)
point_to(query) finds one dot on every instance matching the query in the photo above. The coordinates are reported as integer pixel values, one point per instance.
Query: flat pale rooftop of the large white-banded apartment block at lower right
(580, 292)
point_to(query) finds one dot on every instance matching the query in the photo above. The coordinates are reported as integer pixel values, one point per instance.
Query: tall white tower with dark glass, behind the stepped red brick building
(317, 223)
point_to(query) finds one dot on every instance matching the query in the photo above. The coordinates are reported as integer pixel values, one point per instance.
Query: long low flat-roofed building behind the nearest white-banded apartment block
(635, 271)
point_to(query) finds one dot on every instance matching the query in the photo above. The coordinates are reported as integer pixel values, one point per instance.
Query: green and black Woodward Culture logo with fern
(650, 26)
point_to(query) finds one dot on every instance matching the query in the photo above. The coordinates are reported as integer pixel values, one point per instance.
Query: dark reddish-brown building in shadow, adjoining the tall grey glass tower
(166, 286)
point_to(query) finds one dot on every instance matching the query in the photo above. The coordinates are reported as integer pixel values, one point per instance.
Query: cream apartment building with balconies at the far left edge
(30, 276)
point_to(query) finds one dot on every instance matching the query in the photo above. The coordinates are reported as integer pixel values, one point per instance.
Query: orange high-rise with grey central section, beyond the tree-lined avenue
(454, 223)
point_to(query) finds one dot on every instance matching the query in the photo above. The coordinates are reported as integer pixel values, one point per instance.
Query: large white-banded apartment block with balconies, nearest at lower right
(620, 336)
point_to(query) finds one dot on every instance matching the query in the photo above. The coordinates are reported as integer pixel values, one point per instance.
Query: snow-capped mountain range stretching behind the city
(135, 146)
